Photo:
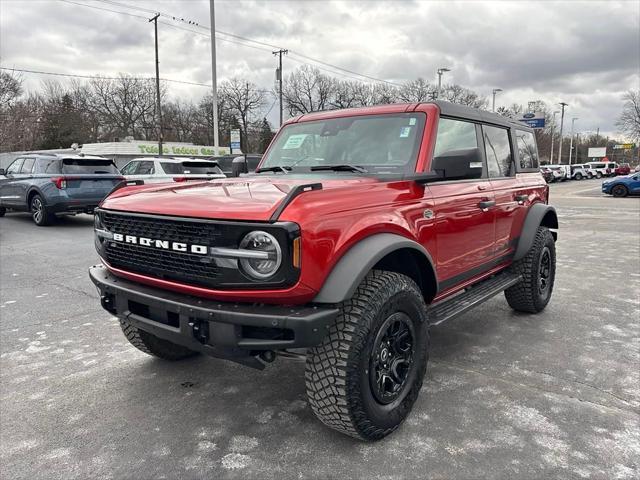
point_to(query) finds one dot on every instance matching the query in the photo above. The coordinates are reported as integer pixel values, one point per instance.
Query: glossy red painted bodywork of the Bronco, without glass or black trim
(459, 236)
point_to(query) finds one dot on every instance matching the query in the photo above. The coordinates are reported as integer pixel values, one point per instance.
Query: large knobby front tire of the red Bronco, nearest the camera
(337, 374)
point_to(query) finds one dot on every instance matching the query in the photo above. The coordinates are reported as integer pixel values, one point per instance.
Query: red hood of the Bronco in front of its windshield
(254, 198)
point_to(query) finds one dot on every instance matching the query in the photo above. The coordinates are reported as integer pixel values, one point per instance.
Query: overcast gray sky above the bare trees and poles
(584, 53)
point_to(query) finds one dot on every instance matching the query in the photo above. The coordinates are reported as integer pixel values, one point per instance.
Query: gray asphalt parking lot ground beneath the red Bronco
(507, 395)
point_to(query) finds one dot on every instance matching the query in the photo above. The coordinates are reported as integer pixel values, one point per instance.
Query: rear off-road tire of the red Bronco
(526, 295)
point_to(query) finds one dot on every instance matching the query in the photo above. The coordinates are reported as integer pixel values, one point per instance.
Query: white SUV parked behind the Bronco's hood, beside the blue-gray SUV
(165, 169)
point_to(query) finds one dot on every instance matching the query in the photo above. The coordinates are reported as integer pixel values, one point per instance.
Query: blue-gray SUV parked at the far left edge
(50, 185)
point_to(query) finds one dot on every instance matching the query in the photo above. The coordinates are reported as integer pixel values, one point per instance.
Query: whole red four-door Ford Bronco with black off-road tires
(359, 230)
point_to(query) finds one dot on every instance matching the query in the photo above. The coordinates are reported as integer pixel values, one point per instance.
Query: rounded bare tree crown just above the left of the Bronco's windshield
(307, 90)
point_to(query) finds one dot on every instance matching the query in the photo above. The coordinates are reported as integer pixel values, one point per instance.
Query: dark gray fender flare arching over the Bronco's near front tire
(354, 265)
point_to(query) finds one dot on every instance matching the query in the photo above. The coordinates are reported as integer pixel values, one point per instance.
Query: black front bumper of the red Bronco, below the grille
(227, 330)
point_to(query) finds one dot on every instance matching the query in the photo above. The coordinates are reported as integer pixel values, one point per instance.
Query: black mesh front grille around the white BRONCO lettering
(184, 267)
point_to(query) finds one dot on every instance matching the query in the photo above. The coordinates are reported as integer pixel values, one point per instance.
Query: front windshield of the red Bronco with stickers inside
(377, 143)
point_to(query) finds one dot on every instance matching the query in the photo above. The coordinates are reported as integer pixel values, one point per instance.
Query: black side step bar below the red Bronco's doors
(472, 296)
